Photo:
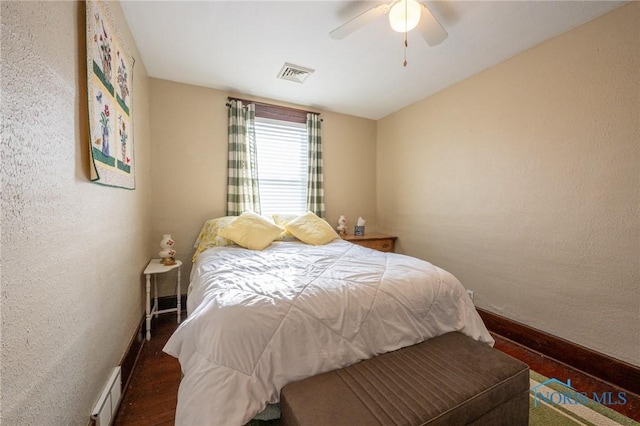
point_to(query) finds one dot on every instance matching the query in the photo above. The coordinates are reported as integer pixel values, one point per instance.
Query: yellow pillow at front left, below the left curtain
(252, 231)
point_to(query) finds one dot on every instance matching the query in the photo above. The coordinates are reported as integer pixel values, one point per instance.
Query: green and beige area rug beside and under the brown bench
(555, 403)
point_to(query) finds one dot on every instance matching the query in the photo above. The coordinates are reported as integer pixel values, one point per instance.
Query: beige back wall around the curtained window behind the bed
(189, 157)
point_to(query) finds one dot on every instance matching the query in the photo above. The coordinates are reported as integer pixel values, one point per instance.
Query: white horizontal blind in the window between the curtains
(282, 165)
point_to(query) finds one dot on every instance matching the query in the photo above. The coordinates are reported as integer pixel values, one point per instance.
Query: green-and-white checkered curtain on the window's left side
(242, 175)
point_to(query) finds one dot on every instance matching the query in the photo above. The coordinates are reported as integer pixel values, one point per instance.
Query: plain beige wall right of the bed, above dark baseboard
(523, 181)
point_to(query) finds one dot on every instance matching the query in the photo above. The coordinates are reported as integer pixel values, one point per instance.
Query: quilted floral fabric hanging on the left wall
(109, 86)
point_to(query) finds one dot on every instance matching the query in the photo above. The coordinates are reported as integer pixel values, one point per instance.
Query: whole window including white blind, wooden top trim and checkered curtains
(286, 164)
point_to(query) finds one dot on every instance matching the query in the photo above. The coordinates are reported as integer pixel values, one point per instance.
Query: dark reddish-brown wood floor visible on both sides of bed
(151, 396)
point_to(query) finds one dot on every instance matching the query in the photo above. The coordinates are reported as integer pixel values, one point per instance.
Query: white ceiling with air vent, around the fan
(240, 46)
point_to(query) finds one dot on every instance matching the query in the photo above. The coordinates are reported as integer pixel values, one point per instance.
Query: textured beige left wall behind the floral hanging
(72, 251)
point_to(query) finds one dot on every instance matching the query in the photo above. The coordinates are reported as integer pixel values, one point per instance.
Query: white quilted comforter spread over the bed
(258, 320)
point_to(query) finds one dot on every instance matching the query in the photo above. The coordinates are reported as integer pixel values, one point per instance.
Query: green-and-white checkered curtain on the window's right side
(315, 184)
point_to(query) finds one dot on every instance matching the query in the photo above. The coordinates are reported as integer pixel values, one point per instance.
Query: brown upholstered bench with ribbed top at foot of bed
(448, 380)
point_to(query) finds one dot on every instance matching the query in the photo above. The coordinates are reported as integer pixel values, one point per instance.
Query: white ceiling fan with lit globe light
(404, 15)
